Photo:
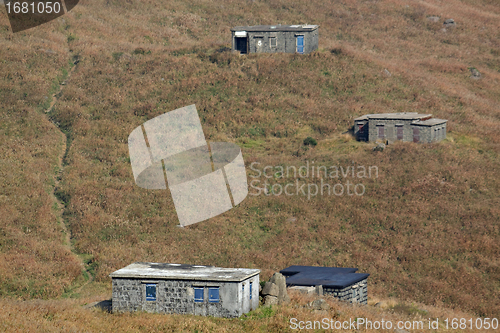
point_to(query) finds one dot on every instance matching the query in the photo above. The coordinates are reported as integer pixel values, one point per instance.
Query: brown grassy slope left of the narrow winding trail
(34, 262)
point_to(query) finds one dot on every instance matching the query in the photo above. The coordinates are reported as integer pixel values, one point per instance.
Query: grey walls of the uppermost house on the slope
(285, 41)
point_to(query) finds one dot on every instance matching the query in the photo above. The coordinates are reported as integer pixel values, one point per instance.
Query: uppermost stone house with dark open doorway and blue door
(301, 39)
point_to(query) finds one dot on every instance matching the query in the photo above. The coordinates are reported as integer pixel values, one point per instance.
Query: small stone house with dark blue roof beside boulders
(342, 283)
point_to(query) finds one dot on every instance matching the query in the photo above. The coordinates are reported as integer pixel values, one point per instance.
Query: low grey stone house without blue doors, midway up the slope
(406, 126)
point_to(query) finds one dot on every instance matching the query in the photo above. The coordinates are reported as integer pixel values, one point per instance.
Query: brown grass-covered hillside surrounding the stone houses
(71, 91)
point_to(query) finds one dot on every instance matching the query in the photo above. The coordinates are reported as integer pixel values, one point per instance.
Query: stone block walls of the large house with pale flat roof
(177, 296)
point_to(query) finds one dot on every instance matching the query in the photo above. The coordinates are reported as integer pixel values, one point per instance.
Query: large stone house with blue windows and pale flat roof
(185, 289)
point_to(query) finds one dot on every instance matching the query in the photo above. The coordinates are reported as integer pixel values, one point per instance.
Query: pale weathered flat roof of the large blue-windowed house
(151, 270)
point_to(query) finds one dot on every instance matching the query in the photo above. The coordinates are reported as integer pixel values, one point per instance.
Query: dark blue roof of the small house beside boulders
(332, 277)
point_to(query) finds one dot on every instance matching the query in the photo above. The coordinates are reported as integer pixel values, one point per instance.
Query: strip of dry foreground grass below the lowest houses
(75, 316)
